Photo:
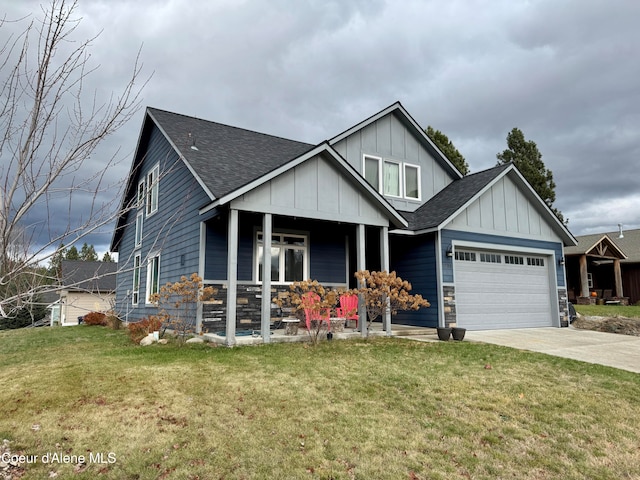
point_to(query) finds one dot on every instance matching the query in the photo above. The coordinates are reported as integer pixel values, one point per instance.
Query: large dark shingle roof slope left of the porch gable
(226, 157)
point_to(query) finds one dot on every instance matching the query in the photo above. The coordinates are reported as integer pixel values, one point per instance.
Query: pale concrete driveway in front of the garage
(611, 349)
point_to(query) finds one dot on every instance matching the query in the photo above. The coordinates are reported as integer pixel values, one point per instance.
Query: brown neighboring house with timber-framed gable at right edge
(607, 264)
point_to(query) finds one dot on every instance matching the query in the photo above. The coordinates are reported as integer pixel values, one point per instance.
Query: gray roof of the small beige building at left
(89, 276)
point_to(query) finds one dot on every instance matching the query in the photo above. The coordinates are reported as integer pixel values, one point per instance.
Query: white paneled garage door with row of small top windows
(501, 290)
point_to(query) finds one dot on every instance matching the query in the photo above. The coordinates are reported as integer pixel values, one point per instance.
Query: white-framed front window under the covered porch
(289, 253)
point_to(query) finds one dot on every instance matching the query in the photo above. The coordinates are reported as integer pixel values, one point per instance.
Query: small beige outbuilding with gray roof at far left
(86, 287)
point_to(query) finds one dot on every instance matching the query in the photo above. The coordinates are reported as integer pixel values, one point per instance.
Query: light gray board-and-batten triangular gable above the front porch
(314, 189)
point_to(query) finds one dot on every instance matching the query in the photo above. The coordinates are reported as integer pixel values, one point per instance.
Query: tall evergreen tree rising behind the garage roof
(528, 160)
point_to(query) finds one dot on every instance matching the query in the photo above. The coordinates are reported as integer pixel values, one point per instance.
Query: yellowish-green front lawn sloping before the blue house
(383, 409)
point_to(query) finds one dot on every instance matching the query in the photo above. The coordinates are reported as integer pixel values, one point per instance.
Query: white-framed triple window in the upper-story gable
(392, 178)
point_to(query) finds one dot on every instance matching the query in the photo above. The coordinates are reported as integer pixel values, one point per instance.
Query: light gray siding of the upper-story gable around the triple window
(391, 139)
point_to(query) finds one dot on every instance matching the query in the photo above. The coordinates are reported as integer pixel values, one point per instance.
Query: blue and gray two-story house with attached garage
(231, 204)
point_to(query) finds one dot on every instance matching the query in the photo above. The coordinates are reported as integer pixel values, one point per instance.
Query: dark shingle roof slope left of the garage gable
(449, 200)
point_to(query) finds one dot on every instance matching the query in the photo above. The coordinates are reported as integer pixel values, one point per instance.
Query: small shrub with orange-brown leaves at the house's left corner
(178, 301)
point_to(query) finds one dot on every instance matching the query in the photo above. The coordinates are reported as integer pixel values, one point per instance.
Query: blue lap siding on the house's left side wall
(173, 231)
